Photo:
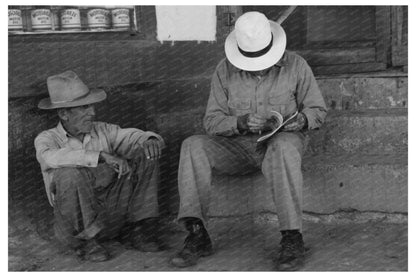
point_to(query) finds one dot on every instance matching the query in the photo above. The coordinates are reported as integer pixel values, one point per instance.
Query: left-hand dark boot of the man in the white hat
(197, 244)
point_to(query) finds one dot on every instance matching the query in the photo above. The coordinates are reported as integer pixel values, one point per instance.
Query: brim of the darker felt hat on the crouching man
(94, 96)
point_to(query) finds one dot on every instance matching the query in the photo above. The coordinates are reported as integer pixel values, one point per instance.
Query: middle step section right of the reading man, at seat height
(381, 131)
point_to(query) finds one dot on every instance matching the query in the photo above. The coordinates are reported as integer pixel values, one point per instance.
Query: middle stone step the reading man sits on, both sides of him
(366, 132)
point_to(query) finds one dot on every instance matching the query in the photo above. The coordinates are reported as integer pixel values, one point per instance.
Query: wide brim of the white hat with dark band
(259, 63)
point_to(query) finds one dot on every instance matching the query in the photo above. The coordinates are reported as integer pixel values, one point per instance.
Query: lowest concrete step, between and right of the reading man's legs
(331, 183)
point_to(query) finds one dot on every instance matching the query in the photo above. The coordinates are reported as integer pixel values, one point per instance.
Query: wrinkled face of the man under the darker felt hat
(79, 119)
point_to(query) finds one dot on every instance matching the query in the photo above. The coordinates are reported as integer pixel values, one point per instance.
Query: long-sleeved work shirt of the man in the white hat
(287, 87)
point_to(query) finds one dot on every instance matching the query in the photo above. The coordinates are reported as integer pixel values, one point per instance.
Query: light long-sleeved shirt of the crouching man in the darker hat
(55, 148)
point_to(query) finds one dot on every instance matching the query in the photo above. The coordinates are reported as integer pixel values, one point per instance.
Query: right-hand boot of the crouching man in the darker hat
(144, 236)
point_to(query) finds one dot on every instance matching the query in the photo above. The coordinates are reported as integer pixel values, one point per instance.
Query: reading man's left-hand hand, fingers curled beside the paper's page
(255, 123)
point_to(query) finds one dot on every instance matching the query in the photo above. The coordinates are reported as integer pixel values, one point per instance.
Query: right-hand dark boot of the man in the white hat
(292, 252)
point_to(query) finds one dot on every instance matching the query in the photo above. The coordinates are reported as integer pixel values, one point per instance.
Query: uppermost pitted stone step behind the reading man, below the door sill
(356, 92)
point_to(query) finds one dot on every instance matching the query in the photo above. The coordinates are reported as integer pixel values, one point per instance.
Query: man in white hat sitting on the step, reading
(258, 77)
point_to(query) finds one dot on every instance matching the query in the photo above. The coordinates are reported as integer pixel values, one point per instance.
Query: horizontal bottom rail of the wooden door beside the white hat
(338, 56)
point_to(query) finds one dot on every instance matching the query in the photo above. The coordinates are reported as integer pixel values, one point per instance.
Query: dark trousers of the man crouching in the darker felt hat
(93, 202)
